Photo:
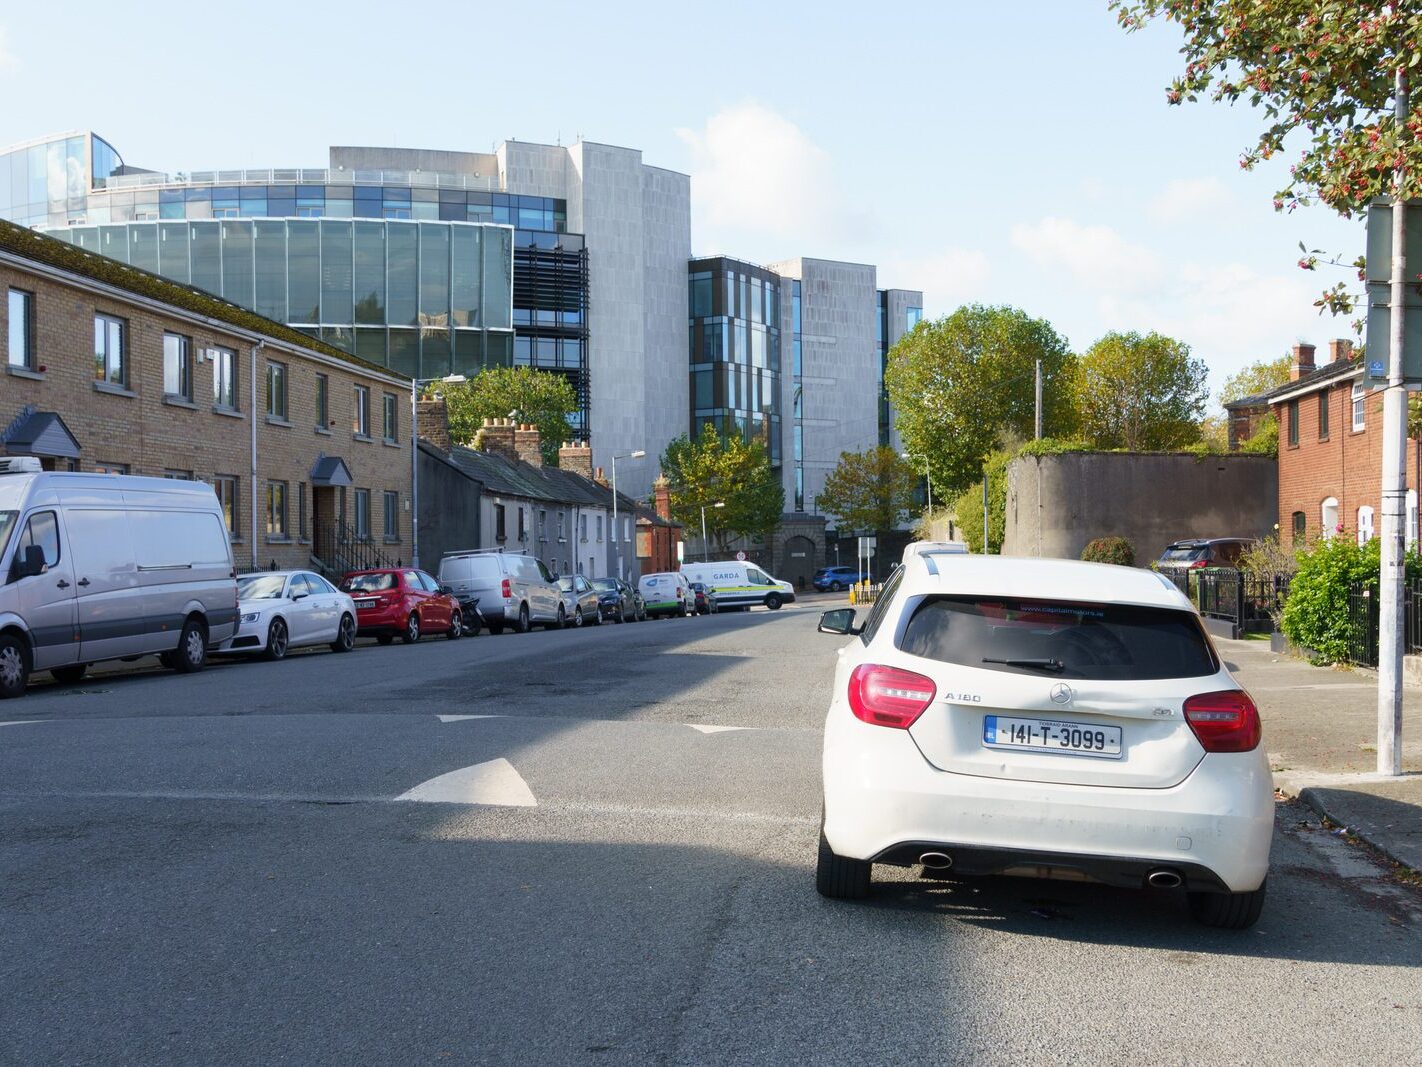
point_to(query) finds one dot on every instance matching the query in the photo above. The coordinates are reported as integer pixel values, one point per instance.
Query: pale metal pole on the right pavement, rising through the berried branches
(1394, 479)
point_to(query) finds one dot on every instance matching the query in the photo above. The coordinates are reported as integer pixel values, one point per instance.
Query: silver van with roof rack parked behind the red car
(513, 590)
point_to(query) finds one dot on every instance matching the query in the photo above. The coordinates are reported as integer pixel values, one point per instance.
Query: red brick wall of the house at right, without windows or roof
(1347, 466)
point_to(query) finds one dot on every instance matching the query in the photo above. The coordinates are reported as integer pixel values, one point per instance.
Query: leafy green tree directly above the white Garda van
(726, 470)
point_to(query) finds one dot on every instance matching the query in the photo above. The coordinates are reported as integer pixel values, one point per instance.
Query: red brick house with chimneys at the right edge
(1330, 452)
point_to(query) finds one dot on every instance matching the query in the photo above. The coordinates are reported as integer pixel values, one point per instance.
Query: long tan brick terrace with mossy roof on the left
(109, 368)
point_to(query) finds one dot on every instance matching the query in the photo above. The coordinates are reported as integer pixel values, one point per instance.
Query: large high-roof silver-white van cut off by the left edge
(100, 567)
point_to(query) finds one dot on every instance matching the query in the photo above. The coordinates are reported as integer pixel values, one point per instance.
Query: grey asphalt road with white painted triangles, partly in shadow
(281, 864)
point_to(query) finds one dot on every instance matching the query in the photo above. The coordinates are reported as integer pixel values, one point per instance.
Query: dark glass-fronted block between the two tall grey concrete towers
(736, 349)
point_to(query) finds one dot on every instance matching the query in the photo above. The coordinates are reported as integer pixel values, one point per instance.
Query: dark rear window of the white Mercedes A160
(1056, 639)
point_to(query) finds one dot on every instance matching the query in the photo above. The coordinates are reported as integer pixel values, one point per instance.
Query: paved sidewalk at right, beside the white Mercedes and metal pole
(1322, 731)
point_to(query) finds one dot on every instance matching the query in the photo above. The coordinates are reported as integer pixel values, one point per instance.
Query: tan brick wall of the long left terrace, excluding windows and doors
(153, 435)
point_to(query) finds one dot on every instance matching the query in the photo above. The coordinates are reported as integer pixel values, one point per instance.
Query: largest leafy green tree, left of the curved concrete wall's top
(958, 382)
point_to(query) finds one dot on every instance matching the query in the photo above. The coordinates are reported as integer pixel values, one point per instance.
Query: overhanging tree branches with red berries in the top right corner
(1323, 69)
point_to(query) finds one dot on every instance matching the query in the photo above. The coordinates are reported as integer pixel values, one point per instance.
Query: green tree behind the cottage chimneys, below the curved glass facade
(534, 396)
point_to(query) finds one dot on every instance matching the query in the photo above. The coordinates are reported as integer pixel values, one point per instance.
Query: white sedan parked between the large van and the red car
(289, 610)
